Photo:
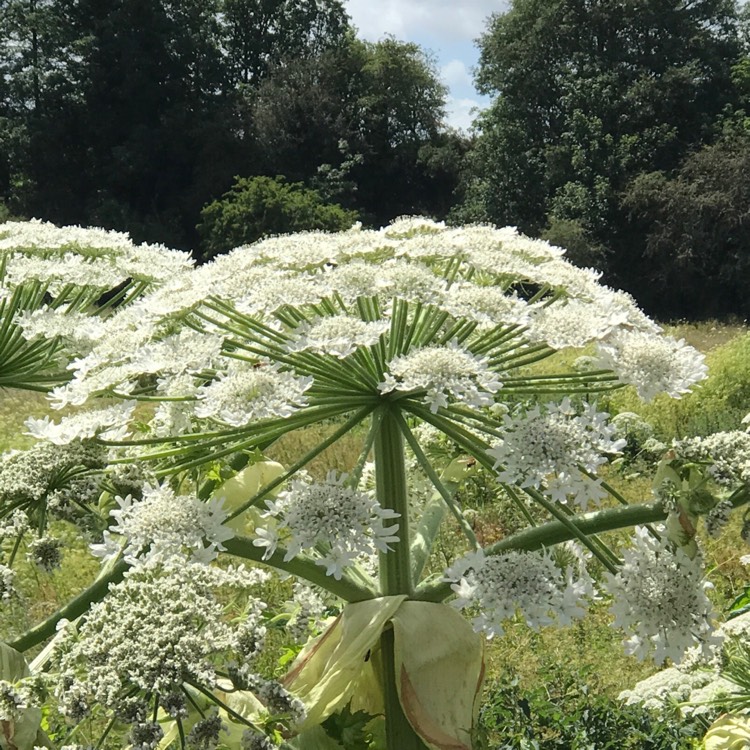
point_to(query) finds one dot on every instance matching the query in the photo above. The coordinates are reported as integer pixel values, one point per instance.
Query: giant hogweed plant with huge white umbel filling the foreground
(399, 338)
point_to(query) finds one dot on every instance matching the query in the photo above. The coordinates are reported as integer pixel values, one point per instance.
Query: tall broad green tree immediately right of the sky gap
(588, 94)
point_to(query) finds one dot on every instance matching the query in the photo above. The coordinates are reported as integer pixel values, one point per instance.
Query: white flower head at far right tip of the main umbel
(653, 364)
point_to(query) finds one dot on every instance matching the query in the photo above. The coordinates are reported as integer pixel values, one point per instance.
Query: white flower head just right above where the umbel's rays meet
(445, 372)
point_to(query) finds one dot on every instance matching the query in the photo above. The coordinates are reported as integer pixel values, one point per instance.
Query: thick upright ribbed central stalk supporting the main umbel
(395, 568)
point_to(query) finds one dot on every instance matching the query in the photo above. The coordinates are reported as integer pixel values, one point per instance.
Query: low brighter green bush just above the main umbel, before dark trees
(263, 206)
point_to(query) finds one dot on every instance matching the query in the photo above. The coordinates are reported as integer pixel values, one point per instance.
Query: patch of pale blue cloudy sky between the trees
(446, 28)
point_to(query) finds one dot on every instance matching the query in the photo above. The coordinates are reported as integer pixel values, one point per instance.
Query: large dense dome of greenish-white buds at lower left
(160, 628)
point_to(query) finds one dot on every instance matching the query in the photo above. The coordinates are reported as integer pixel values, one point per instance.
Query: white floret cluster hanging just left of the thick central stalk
(333, 521)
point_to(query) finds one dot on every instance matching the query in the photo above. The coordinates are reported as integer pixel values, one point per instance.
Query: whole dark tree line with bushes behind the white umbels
(619, 129)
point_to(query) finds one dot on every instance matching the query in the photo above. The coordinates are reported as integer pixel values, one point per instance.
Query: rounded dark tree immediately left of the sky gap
(364, 123)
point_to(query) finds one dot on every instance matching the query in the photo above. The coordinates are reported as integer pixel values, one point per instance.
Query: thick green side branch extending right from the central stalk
(556, 532)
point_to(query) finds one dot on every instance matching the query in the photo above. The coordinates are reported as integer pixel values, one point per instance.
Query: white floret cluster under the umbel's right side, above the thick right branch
(549, 448)
